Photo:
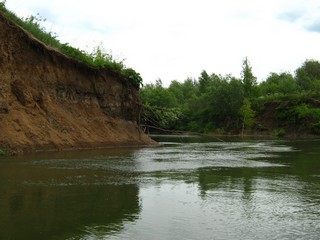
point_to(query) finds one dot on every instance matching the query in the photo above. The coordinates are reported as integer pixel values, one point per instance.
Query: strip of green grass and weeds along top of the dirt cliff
(99, 58)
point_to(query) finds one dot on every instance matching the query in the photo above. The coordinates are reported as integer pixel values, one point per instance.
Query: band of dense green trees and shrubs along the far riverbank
(283, 104)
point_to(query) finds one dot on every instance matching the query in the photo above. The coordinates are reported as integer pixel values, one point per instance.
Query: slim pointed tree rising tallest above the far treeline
(248, 80)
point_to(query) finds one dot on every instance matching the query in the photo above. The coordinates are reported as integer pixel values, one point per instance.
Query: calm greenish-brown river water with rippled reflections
(188, 188)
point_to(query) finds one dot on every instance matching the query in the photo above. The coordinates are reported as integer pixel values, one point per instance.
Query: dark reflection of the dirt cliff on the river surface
(39, 200)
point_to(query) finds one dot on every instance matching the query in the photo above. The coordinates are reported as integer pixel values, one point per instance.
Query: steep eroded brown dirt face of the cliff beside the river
(51, 102)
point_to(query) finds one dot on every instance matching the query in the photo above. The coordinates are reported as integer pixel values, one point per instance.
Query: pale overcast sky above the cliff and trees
(178, 39)
